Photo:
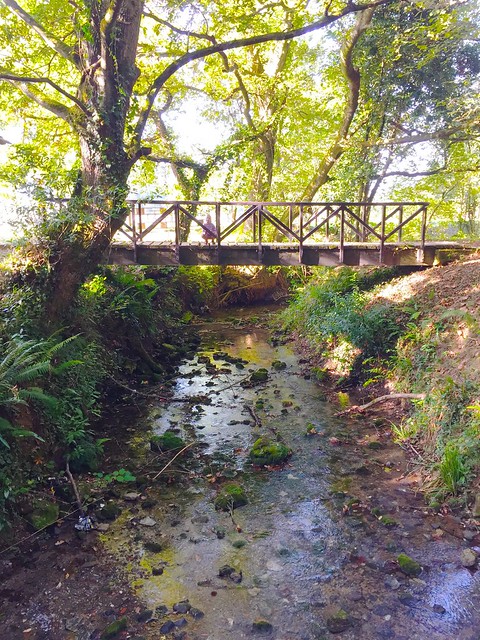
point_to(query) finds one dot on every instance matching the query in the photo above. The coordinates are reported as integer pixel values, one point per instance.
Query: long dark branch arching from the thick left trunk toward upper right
(278, 36)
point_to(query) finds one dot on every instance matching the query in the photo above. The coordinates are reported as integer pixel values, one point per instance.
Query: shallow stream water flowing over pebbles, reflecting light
(314, 550)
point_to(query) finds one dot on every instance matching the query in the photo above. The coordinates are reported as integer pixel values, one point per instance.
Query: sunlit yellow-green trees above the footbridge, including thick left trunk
(330, 99)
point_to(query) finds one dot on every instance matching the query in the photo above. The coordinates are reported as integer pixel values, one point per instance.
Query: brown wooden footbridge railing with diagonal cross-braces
(300, 224)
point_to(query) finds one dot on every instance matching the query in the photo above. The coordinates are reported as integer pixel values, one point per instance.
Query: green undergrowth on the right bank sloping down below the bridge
(364, 340)
